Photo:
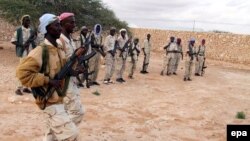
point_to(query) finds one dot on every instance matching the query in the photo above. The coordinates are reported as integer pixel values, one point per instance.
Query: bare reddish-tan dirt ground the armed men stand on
(148, 108)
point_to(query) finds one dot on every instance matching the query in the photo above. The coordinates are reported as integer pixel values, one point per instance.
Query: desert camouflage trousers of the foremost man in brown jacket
(59, 126)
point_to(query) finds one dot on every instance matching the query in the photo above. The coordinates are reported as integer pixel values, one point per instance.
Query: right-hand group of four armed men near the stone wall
(174, 54)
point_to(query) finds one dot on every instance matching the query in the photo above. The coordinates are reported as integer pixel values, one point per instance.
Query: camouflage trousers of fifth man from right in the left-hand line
(94, 66)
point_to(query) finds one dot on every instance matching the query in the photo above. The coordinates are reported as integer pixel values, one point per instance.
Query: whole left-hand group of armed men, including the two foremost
(43, 55)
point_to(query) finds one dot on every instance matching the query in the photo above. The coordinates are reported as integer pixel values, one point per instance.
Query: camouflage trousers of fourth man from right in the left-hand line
(110, 66)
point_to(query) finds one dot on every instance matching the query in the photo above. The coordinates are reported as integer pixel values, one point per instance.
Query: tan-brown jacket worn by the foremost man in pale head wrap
(28, 71)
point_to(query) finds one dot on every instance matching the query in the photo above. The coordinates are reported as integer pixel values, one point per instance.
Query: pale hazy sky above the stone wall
(224, 15)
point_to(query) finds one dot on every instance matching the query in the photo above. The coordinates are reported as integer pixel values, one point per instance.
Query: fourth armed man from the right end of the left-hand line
(110, 46)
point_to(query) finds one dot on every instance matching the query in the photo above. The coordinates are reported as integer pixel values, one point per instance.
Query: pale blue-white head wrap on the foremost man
(45, 20)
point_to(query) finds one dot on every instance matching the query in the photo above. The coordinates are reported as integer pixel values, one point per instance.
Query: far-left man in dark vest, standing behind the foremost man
(24, 39)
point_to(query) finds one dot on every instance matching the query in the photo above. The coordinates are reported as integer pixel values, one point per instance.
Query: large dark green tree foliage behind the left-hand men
(87, 12)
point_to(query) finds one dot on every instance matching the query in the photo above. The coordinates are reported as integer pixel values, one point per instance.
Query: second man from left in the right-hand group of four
(178, 55)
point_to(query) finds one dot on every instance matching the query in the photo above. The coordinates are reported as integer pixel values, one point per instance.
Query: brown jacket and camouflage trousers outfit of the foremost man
(59, 123)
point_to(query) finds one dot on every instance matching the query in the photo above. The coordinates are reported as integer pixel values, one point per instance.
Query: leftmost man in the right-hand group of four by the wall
(169, 60)
